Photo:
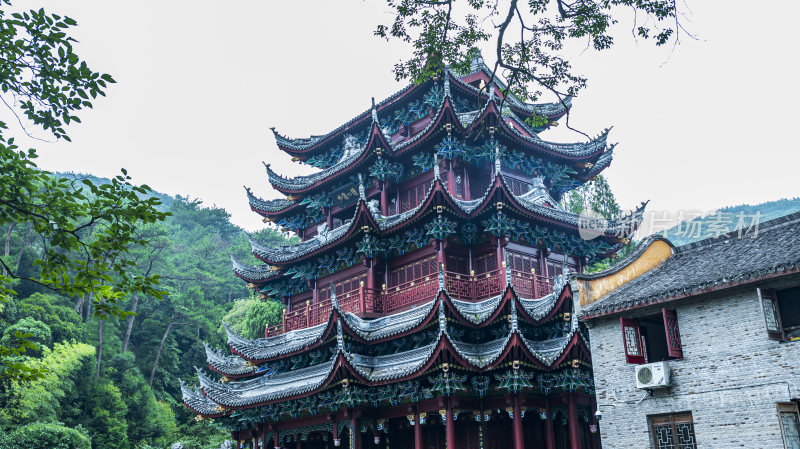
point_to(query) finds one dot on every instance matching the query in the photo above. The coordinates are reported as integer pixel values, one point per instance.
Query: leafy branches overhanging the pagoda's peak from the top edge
(528, 38)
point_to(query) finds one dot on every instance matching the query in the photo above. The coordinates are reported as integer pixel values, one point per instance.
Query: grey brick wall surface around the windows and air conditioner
(730, 378)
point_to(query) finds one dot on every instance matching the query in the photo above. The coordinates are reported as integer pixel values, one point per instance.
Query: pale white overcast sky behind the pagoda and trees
(200, 83)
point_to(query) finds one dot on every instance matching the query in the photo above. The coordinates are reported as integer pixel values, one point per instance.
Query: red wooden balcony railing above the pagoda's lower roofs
(372, 302)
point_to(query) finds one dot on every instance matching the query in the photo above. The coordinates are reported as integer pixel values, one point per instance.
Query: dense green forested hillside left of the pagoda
(114, 383)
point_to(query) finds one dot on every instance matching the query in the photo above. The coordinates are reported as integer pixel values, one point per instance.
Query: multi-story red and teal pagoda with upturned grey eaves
(427, 304)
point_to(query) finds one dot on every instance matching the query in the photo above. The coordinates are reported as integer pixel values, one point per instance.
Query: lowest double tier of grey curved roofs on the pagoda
(343, 333)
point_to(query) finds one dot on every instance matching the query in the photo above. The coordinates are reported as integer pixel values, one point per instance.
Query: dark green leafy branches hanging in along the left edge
(87, 229)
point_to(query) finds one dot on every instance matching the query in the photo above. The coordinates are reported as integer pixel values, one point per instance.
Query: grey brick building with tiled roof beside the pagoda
(724, 316)
